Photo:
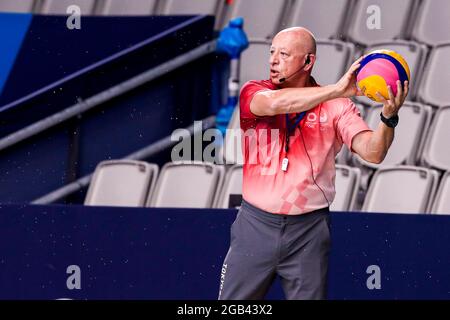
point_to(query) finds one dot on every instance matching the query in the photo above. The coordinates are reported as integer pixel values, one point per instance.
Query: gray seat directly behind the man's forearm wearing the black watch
(409, 134)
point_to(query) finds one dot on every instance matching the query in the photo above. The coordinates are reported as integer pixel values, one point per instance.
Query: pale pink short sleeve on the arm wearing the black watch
(350, 123)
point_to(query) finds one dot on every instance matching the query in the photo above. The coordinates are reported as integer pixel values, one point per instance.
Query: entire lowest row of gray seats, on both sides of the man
(394, 189)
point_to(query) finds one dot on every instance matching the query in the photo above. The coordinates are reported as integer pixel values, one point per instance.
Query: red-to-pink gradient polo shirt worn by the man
(324, 129)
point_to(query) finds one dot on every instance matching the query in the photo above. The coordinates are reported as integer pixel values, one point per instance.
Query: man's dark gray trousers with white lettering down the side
(264, 245)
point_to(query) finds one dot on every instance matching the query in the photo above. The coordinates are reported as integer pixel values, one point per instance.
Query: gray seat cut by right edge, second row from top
(435, 84)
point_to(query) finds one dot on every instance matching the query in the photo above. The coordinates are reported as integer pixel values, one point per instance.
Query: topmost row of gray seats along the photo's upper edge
(361, 21)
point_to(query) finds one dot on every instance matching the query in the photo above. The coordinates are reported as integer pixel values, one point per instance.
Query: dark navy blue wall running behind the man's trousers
(149, 253)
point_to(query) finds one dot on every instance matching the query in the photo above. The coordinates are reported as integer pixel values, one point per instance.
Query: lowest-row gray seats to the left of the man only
(182, 184)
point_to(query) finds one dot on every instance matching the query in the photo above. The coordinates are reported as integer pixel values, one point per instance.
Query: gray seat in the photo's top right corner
(433, 22)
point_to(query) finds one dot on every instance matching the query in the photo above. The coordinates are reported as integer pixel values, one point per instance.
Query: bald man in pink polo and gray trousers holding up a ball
(292, 131)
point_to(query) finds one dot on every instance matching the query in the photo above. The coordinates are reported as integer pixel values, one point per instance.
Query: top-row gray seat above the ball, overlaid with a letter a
(394, 18)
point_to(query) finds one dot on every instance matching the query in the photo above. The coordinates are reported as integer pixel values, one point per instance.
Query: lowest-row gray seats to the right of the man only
(394, 189)
